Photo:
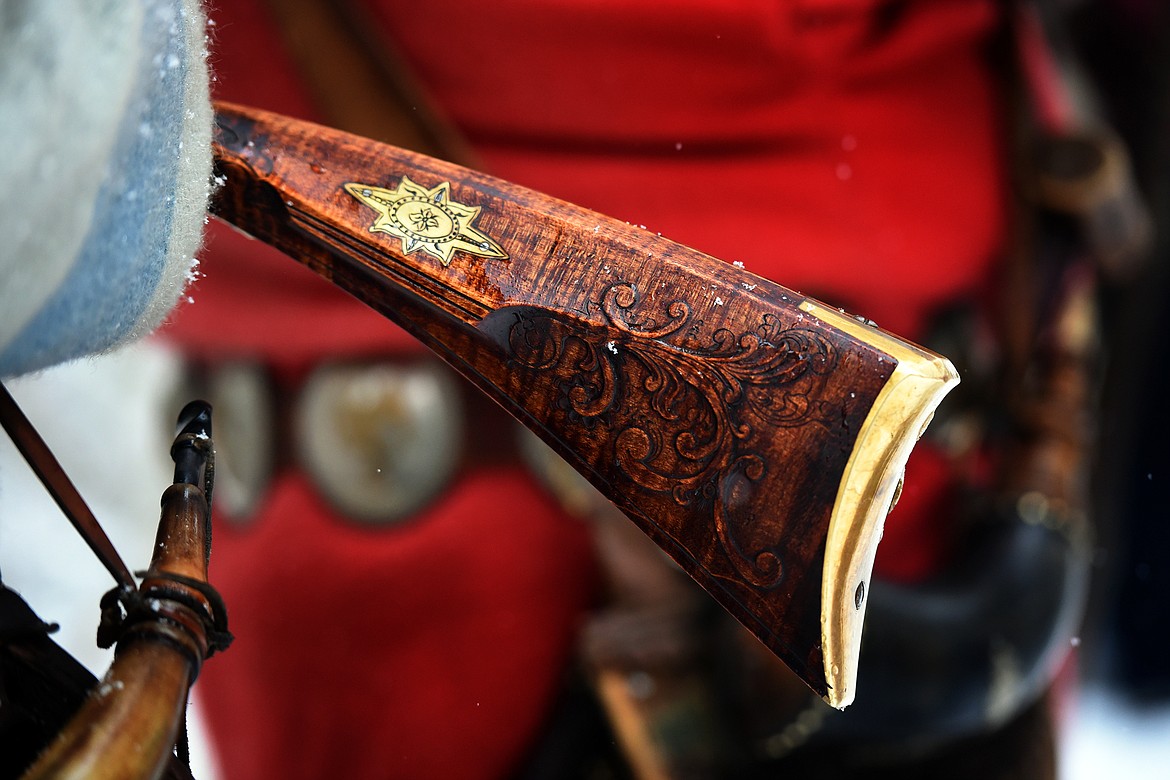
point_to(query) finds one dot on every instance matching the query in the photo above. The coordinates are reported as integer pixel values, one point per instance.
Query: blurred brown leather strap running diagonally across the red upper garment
(360, 82)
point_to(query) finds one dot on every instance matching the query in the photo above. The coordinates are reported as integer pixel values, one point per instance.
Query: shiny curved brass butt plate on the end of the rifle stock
(869, 488)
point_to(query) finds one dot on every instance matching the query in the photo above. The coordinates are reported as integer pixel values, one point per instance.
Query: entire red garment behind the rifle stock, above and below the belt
(844, 148)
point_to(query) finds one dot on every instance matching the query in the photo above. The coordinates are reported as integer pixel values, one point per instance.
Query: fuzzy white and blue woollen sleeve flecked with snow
(78, 80)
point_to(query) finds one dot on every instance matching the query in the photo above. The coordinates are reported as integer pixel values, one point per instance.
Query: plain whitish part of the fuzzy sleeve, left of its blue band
(66, 73)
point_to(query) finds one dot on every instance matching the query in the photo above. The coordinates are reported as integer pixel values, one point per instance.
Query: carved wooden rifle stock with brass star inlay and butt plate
(754, 434)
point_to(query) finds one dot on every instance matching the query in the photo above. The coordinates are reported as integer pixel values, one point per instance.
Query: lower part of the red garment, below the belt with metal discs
(431, 650)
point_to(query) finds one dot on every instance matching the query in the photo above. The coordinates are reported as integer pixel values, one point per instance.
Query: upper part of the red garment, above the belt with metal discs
(841, 148)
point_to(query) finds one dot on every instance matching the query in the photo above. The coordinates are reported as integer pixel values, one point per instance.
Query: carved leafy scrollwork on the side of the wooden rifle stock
(691, 417)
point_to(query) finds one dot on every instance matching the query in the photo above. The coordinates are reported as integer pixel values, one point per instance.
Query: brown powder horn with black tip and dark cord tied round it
(129, 726)
